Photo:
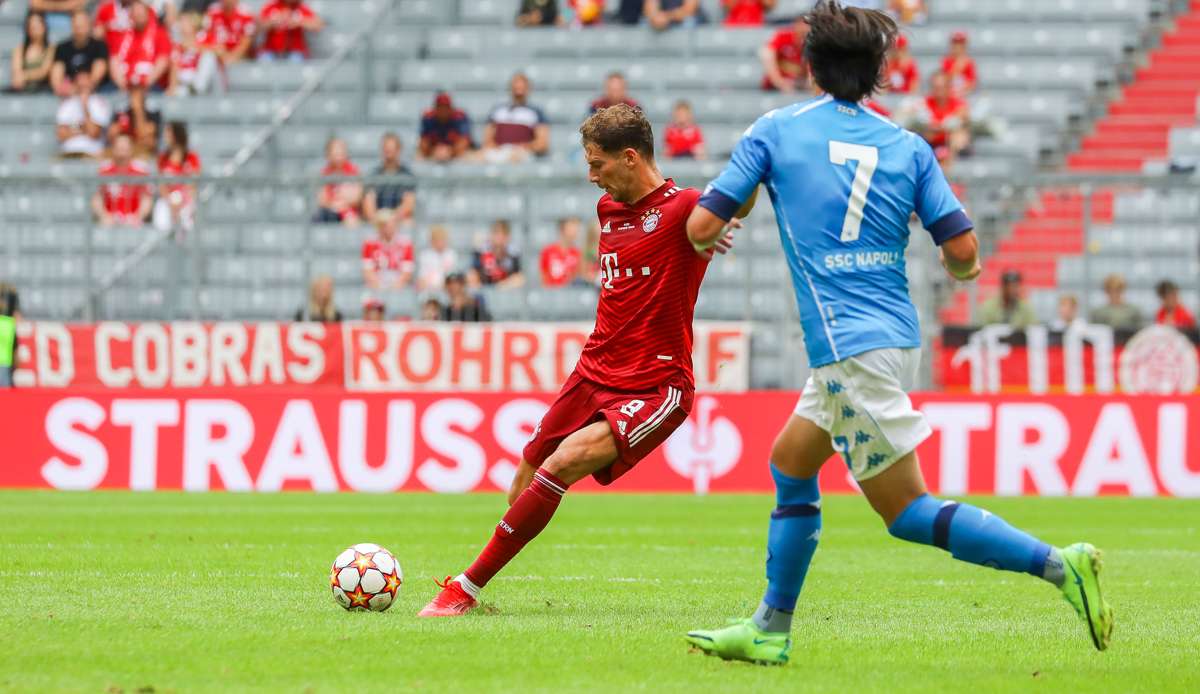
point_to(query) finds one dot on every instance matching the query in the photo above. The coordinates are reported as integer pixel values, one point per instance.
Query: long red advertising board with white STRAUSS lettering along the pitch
(298, 440)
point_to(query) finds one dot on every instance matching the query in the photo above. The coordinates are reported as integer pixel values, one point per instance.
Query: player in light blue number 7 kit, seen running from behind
(844, 182)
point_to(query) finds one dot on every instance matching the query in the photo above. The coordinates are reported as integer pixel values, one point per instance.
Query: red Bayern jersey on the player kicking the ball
(650, 279)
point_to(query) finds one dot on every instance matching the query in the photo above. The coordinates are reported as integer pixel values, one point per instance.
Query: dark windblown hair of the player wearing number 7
(847, 49)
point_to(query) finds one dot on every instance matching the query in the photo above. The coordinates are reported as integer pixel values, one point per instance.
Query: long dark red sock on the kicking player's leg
(526, 518)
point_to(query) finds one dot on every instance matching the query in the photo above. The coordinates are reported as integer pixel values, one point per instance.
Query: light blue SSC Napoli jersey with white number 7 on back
(844, 182)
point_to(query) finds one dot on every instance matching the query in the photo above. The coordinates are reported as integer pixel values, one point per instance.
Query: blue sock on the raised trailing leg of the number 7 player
(975, 536)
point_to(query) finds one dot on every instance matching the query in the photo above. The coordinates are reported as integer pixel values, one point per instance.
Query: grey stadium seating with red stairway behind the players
(1046, 73)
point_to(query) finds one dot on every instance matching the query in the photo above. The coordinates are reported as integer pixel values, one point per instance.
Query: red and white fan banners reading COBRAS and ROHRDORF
(380, 357)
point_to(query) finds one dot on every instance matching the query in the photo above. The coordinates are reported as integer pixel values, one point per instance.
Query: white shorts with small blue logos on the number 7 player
(863, 404)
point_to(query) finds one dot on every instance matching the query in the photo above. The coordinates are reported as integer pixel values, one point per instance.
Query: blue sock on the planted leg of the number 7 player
(791, 542)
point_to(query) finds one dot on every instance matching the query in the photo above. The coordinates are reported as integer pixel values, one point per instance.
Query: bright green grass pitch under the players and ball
(167, 593)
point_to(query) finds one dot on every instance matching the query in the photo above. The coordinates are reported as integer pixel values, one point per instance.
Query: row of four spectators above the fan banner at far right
(1011, 308)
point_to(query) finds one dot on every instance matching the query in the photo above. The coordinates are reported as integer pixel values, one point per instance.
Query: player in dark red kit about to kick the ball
(634, 382)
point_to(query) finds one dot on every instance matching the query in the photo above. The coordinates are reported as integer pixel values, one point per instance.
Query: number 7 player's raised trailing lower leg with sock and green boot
(976, 536)
